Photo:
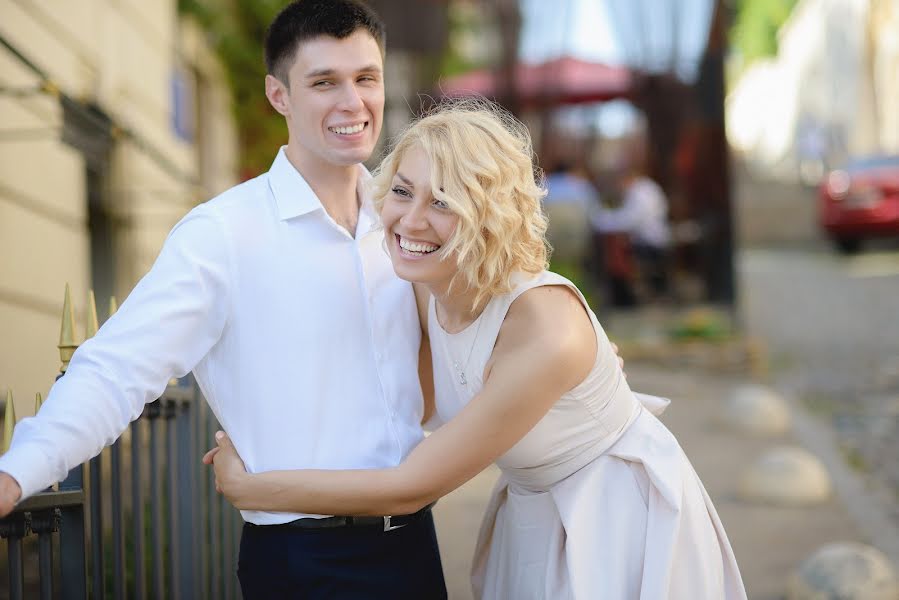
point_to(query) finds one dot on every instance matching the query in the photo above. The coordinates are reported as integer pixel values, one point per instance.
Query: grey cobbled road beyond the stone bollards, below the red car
(832, 326)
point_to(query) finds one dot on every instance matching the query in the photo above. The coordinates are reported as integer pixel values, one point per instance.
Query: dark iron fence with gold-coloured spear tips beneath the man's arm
(141, 520)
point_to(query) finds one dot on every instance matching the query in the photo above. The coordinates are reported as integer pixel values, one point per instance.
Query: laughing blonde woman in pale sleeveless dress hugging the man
(596, 499)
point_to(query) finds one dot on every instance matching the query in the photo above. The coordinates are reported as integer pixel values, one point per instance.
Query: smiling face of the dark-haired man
(335, 104)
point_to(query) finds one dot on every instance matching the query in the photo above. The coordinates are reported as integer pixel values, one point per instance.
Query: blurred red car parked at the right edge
(861, 201)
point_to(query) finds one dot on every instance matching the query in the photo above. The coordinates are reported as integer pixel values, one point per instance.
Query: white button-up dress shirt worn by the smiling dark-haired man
(303, 340)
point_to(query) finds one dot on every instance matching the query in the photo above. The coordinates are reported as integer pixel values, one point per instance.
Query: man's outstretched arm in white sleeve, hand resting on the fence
(167, 324)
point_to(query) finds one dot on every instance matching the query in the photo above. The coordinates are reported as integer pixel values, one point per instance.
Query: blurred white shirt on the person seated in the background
(643, 214)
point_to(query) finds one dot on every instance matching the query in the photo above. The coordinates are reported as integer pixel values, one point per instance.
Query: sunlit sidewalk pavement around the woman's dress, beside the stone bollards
(769, 541)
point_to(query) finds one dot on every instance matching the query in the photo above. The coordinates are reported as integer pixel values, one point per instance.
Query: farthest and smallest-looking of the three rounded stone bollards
(757, 410)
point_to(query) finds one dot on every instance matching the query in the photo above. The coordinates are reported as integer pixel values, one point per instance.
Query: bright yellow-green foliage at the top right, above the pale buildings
(755, 27)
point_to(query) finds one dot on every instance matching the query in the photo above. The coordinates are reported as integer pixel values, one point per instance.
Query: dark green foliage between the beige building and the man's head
(236, 29)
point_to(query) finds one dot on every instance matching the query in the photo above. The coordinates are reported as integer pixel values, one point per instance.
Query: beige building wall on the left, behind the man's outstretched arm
(119, 55)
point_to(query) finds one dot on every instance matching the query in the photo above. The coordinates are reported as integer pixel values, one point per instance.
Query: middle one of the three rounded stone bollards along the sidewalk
(786, 476)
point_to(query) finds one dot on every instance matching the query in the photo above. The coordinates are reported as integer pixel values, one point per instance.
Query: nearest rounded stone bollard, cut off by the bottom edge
(847, 571)
